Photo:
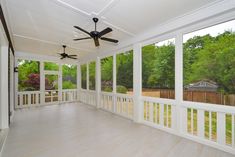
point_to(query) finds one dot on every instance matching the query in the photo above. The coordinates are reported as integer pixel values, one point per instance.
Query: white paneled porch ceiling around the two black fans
(42, 26)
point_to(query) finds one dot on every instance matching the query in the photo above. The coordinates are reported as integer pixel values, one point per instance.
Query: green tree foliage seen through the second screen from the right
(158, 66)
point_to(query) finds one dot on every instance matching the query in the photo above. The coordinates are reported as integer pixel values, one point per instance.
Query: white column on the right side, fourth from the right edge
(98, 82)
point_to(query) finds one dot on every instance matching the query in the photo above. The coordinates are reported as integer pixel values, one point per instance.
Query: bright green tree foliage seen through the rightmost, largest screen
(212, 58)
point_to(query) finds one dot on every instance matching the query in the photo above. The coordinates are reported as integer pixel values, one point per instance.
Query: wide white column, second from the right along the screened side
(137, 80)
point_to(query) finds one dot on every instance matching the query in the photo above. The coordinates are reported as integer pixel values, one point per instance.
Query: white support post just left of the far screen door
(42, 83)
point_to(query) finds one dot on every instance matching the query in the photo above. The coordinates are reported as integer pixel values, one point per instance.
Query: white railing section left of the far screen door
(27, 99)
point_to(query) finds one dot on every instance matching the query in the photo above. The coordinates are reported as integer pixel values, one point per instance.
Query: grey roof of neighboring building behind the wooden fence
(203, 85)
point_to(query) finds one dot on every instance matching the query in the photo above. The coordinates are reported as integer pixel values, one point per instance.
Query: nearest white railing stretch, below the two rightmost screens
(207, 123)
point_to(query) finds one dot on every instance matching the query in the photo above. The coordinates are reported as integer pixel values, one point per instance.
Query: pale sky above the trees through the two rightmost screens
(213, 31)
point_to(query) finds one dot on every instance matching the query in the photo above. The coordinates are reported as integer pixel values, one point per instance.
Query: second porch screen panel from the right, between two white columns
(158, 69)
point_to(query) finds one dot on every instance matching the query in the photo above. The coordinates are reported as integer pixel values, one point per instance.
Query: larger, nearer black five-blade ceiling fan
(95, 35)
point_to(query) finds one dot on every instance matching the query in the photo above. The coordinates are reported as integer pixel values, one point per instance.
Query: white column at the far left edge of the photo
(4, 87)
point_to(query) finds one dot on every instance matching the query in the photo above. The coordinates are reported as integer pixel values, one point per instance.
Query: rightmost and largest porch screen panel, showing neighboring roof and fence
(209, 65)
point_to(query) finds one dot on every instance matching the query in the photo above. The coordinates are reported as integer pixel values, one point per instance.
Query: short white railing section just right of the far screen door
(69, 95)
